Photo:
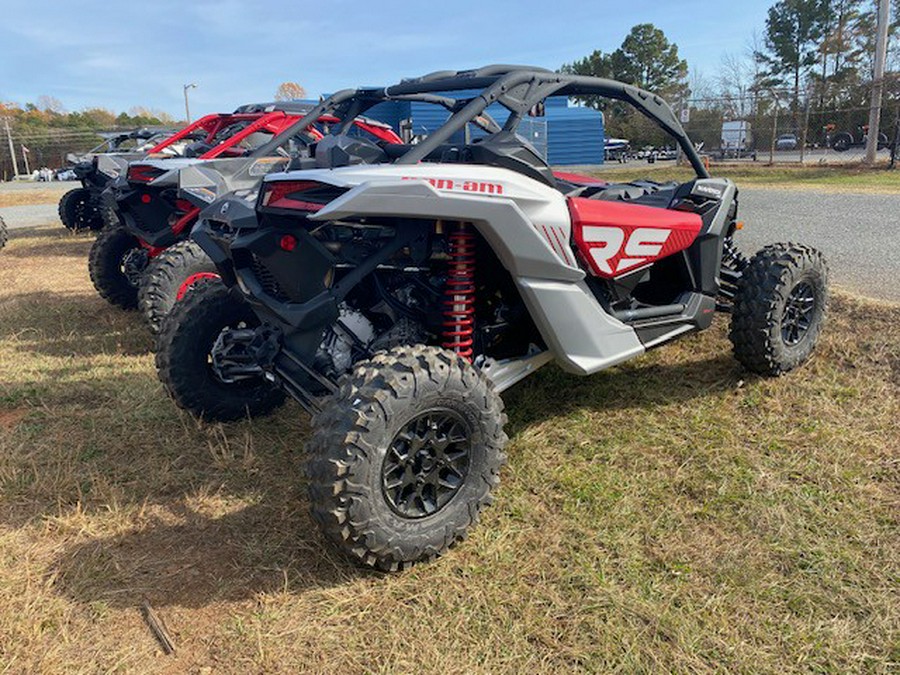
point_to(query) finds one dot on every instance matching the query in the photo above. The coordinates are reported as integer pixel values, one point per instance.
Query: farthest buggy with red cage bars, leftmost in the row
(212, 135)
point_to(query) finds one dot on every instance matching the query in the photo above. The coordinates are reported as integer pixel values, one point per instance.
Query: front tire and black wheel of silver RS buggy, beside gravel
(779, 308)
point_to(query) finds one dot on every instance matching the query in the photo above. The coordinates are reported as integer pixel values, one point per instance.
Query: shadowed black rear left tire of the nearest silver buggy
(186, 339)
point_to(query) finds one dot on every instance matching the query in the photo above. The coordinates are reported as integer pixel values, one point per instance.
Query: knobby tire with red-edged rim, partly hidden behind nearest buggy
(162, 281)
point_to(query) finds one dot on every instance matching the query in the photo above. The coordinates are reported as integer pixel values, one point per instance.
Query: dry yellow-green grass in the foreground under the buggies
(671, 515)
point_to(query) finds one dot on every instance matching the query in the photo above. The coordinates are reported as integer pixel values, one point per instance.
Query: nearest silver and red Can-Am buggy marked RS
(397, 301)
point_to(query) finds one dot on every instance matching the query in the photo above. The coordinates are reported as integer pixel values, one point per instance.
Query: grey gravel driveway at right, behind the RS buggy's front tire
(857, 233)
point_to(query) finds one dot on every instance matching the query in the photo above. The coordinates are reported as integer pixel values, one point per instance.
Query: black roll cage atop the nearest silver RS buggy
(518, 88)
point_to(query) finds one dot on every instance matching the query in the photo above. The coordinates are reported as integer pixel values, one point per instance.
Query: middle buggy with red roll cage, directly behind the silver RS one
(152, 213)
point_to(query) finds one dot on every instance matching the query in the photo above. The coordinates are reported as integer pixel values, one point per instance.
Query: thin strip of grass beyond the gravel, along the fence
(876, 181)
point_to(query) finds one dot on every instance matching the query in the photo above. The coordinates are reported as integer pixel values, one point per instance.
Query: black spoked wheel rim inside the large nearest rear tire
(426, 463)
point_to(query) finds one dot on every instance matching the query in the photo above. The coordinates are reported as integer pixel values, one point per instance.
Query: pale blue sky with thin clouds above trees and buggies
(117, 55)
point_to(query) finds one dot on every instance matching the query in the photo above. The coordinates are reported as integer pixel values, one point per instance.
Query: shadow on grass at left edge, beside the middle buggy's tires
(71, 324)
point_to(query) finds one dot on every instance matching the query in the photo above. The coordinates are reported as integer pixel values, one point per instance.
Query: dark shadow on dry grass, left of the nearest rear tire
(268, 547)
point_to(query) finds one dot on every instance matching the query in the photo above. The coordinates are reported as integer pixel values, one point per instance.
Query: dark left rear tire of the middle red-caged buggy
(106, 263)
